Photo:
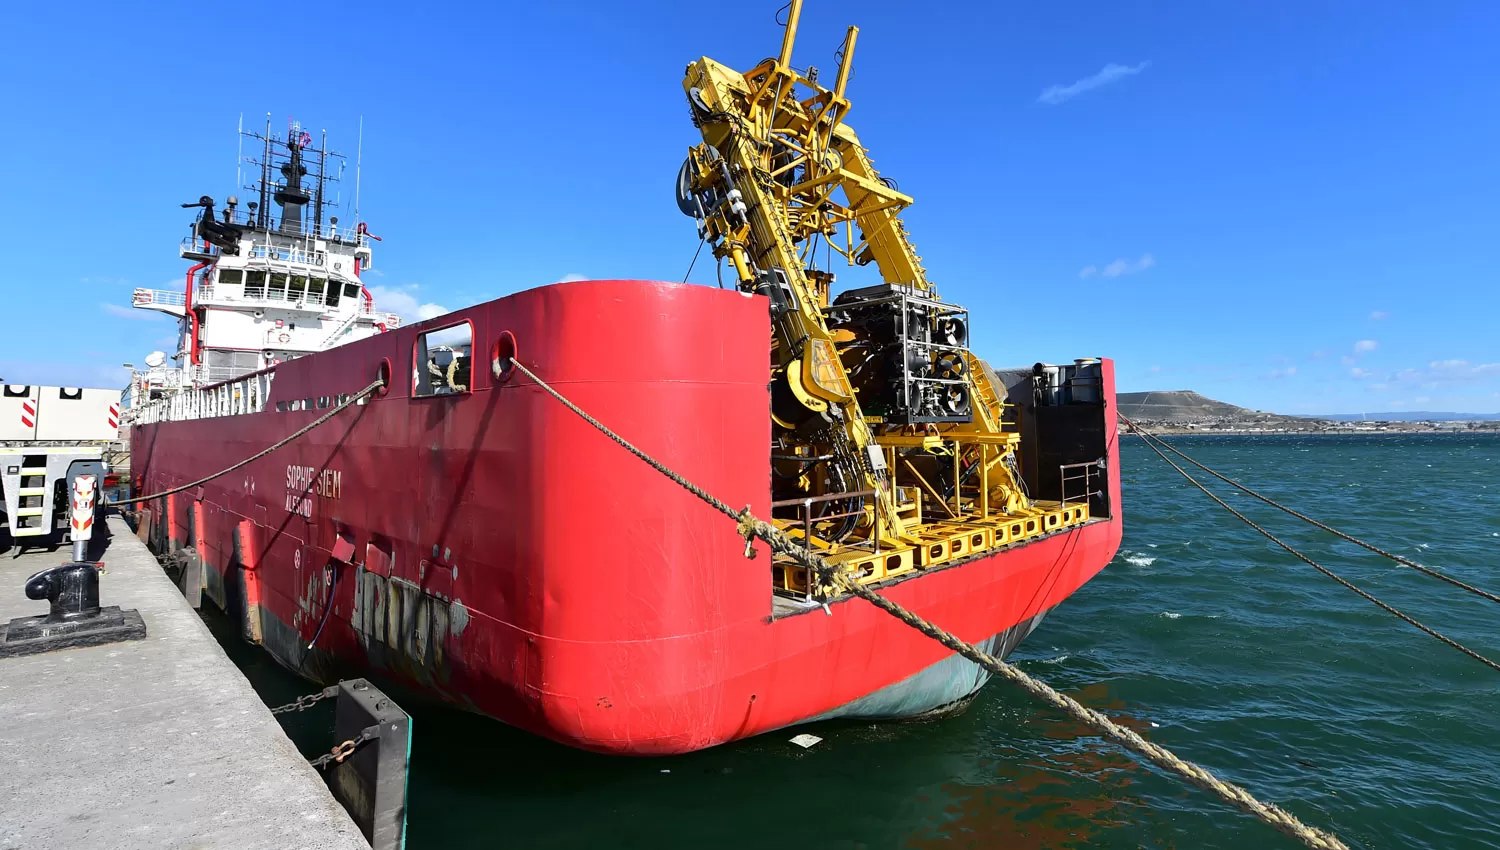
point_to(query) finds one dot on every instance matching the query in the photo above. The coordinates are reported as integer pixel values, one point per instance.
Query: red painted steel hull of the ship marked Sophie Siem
(508, 558)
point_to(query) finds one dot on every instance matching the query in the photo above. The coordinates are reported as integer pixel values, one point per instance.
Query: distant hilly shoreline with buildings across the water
(1183, 412)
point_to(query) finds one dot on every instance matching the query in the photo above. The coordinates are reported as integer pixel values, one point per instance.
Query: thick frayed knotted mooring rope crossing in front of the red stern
(751, 527)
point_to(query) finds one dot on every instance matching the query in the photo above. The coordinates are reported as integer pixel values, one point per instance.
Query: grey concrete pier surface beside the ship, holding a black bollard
(158, 743)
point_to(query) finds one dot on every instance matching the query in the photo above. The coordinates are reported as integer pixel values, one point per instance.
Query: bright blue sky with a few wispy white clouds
(1286, 206)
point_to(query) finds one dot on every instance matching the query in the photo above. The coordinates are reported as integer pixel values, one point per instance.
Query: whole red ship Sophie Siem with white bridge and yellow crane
(457, 531)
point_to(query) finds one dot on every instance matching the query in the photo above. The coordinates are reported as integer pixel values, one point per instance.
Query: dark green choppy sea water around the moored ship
(1199, 635)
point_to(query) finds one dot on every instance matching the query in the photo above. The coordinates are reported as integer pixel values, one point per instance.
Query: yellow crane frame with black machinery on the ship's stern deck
(890, 449)
